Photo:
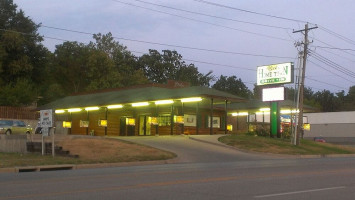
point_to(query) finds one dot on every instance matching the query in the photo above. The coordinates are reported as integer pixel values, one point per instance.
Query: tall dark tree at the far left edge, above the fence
(22, 57)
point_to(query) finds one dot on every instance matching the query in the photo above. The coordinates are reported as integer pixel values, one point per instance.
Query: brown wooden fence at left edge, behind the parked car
(18, 113)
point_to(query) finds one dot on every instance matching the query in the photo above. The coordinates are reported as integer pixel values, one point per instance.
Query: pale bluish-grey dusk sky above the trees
(225, 36)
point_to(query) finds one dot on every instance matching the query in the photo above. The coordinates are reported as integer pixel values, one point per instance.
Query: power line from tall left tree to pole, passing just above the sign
(171, 45)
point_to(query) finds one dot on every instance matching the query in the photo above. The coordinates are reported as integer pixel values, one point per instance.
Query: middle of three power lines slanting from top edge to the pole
(213, 16)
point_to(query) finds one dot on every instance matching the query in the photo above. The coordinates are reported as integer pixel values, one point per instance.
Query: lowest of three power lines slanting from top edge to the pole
(205, 22)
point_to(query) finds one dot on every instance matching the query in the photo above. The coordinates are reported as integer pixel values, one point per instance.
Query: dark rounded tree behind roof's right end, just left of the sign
(232, 85)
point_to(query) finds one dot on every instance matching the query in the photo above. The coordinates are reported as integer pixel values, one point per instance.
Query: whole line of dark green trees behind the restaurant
(29, 72)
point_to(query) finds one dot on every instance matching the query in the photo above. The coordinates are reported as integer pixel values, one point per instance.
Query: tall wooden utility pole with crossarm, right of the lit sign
(299, 128)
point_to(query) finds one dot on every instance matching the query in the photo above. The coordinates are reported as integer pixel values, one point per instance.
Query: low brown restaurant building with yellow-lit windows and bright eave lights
(154, 109)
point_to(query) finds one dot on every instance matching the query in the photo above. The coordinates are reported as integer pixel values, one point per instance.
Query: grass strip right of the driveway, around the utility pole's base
(283, 146)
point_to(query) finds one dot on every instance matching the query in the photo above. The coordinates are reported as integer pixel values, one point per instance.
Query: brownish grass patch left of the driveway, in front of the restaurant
(90, 150)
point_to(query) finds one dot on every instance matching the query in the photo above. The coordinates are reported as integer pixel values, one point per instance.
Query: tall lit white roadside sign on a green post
(272, 78)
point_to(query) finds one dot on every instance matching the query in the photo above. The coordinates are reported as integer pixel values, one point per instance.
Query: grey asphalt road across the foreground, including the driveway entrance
(228, 174)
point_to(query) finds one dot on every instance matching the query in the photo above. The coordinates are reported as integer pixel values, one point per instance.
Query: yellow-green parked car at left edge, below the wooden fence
(9, 127)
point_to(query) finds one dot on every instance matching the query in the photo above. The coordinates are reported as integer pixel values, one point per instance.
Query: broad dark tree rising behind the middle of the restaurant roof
(159, 68)
